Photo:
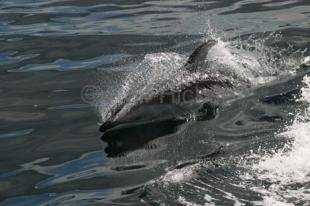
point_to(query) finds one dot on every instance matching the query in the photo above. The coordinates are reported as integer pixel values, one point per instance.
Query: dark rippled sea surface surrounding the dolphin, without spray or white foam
(50, 147)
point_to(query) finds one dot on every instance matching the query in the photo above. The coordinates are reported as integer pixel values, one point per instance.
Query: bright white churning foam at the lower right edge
(287, 169)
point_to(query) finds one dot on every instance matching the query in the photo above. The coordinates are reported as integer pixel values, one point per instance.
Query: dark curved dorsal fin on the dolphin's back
(198, 57)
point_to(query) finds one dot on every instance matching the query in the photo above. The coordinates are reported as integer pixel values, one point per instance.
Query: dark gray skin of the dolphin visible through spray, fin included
(163, 106)
